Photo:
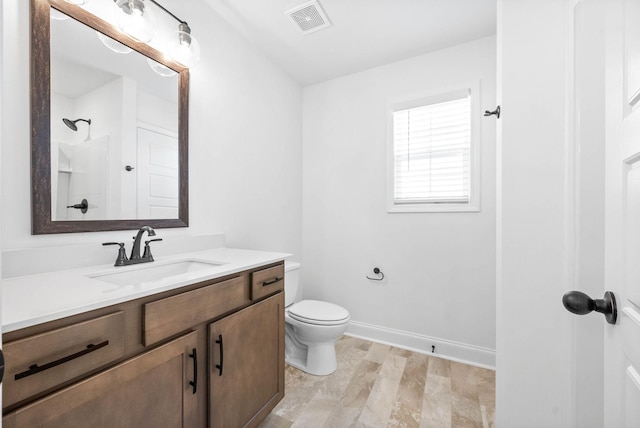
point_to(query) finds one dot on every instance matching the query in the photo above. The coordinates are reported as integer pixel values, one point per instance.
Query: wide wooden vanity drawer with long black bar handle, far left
(37, 363)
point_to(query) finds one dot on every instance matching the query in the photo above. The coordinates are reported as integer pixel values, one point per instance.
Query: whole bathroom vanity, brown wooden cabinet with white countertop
(201, 343)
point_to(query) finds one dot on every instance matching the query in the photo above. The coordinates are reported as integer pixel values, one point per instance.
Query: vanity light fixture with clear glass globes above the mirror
(136, 19)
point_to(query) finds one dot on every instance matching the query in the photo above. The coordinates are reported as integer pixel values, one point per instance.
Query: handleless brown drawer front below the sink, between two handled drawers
(167, 317)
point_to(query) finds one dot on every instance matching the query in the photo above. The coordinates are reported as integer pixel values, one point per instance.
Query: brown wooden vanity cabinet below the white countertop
(145, 375)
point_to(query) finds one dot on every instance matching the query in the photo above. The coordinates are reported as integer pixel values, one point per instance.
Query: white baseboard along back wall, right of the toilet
(450, 350)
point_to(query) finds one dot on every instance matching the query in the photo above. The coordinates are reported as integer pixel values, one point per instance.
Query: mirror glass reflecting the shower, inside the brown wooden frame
(114, 130)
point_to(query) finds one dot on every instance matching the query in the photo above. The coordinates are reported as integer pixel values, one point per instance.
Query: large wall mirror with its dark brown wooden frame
(88, 179)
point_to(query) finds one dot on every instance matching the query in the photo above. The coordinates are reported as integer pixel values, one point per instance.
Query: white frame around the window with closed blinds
(435, 97)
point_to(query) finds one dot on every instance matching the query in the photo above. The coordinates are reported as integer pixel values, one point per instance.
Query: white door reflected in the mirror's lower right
(157, 174)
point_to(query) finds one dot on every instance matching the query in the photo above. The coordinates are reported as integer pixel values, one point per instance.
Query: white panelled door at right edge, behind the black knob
(622, 228)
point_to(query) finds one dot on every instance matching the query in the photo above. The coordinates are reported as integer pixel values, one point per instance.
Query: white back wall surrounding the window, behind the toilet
(440, 267)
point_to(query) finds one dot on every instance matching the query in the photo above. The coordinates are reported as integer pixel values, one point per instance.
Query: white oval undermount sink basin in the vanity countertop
(151, 272)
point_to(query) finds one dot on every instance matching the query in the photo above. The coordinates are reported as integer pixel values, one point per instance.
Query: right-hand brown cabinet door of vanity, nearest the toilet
(246, 366)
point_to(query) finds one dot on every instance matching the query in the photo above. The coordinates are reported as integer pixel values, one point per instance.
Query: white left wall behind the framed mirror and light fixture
(245, 140)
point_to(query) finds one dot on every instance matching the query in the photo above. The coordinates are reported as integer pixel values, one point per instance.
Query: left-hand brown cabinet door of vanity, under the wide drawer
(150, 390)
